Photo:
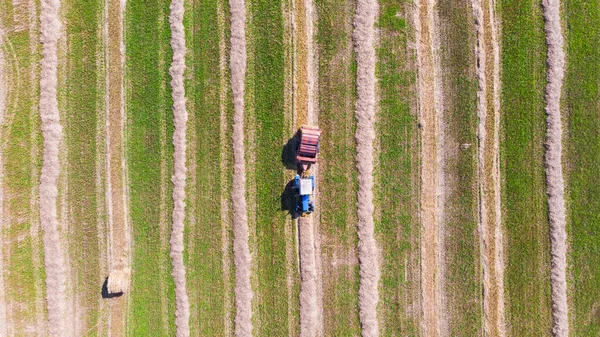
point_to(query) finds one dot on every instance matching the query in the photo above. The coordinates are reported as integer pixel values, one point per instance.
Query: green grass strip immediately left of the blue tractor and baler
(266, 86)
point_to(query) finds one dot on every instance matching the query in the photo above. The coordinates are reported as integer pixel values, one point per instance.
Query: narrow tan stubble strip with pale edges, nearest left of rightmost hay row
(489, 178)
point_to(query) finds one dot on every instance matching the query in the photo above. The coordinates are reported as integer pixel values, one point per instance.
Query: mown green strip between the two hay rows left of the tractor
(208, 253)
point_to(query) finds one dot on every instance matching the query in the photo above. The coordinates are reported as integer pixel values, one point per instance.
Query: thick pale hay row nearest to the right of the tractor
(364, 42)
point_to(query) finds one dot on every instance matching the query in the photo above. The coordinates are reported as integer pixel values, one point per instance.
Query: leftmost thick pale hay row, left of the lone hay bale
(58, 320)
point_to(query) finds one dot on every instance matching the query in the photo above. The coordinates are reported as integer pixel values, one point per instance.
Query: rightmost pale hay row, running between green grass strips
(554, 170)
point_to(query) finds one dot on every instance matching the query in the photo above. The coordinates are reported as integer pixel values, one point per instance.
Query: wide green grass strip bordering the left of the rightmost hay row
(526, 254)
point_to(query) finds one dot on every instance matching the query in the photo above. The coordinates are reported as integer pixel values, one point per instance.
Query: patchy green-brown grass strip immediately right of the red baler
(337, 182)
